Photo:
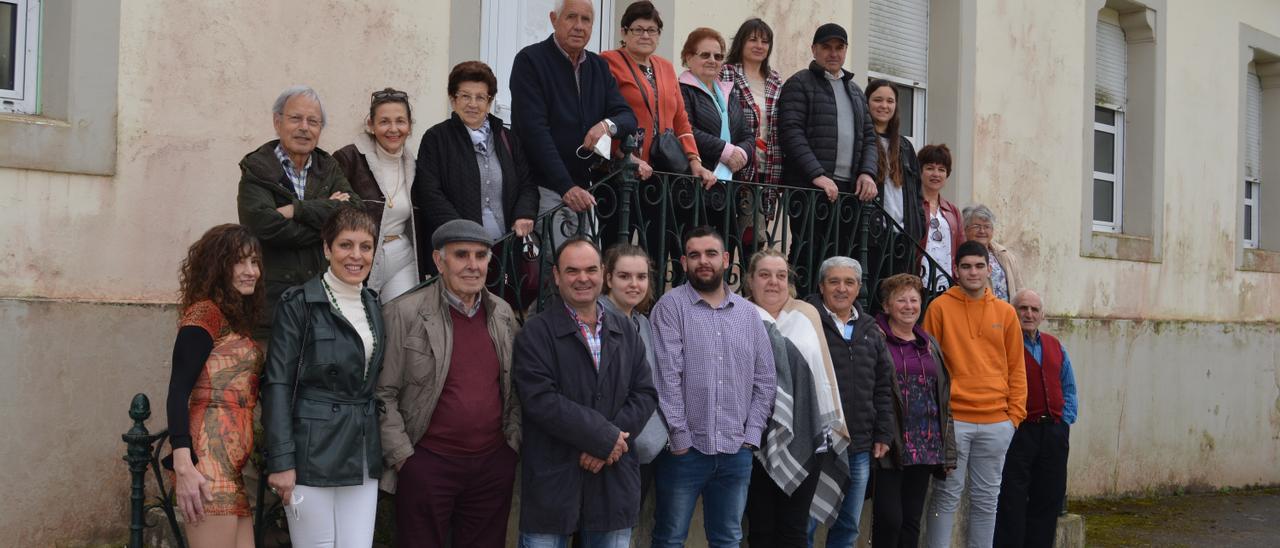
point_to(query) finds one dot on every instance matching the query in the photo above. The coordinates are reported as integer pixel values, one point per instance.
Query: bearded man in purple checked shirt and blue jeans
(716, 383)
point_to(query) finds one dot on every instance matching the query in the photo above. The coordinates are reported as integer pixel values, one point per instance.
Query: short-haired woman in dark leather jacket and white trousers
(323, 449)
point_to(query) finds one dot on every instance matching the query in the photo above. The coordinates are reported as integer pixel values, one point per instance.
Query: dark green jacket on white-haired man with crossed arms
(292, 252)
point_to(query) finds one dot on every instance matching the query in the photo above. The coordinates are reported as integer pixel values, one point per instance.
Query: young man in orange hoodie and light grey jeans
(981, 339)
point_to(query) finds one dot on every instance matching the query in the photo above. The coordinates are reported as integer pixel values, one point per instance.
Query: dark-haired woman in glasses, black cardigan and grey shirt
(472, 167)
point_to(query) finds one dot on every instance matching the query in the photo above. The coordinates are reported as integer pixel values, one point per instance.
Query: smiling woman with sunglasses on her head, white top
(382, 172)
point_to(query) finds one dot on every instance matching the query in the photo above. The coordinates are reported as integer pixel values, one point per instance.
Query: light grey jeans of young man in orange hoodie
(980, 463)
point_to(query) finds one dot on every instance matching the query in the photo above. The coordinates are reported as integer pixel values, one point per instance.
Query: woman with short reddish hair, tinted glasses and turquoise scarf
(714, 107)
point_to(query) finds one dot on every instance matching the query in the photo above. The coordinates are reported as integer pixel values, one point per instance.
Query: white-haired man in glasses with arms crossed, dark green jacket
(287, 191)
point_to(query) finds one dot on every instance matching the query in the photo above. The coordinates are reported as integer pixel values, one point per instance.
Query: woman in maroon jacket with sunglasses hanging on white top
(944, 232)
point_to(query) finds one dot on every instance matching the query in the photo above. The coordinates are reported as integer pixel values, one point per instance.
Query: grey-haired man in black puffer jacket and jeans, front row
(865, 375)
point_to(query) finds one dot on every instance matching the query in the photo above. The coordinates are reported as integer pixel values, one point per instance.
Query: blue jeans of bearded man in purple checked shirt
(720, 479)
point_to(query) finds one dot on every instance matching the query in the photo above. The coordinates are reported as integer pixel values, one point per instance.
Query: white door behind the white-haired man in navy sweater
(500, 20)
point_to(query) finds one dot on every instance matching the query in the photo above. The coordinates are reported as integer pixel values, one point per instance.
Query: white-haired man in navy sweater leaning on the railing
(564, 101)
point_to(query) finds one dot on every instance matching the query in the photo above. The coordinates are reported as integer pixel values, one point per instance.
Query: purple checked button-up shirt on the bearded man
(716, 380)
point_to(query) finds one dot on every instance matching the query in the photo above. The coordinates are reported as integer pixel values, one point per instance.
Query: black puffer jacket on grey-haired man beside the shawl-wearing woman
(865, 375)
